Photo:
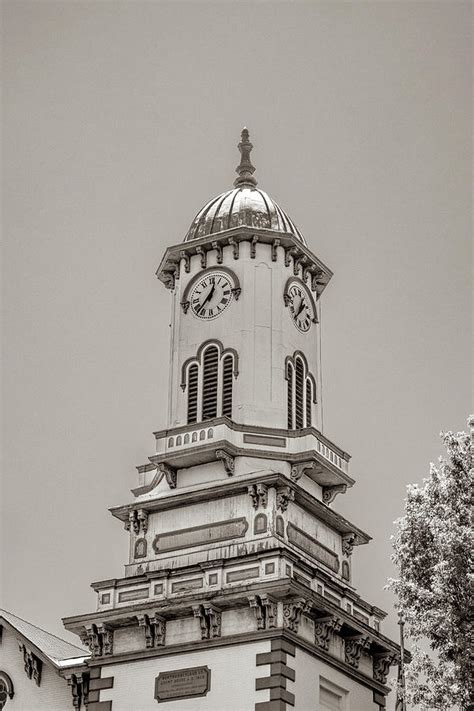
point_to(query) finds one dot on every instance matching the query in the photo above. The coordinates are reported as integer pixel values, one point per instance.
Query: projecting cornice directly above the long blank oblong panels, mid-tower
(239, 485)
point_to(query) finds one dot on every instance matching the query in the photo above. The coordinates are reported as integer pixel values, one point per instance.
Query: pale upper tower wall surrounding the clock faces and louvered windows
(258, 326)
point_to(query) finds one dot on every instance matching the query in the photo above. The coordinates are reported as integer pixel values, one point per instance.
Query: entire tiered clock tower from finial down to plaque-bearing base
(238, 591)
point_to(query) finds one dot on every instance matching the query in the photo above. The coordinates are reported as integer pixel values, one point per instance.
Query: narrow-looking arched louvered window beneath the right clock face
(301, 392)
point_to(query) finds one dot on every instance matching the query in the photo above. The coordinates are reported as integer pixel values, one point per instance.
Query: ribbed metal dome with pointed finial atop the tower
(245, 205)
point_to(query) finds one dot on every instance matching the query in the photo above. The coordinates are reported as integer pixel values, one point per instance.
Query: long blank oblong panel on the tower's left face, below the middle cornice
(200, 535)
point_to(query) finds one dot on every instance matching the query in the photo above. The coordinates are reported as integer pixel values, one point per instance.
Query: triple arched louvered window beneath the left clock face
(208, 380)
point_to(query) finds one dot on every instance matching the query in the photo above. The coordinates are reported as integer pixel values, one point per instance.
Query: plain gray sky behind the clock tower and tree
(120, 121)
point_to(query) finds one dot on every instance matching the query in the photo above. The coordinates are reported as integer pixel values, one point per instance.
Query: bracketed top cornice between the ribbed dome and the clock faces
(303, 258)
